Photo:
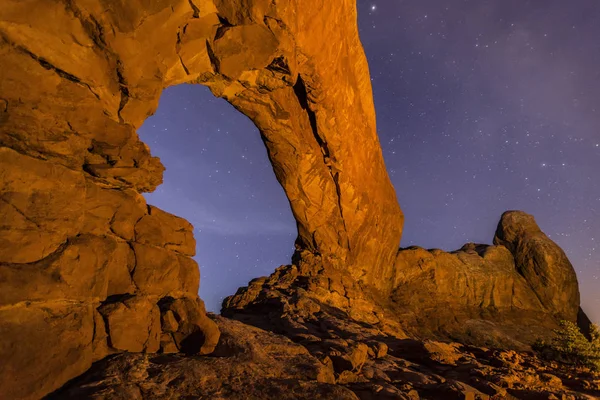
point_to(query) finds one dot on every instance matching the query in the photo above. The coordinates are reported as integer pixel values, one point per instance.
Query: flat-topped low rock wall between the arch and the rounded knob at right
(473, 295)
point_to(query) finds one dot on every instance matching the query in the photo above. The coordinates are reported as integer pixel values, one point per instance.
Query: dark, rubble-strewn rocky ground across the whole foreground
(342, 360)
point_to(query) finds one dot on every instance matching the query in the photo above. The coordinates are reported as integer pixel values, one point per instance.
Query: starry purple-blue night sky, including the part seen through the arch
(482, 106)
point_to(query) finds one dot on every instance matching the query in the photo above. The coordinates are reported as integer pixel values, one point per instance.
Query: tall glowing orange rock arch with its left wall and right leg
(86, 267)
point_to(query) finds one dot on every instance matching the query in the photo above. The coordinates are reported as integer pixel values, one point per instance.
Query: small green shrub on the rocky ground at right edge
(570, 346)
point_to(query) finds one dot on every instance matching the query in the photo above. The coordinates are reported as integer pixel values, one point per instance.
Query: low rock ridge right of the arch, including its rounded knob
(507, 295)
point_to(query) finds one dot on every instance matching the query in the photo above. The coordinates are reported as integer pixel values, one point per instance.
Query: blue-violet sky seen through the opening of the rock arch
(218, 177)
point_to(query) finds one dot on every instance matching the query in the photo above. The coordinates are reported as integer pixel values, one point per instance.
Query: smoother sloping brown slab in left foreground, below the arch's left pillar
(248, 363)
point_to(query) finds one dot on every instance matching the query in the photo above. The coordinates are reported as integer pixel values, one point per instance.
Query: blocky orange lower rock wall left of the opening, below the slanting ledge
(103, 273)
